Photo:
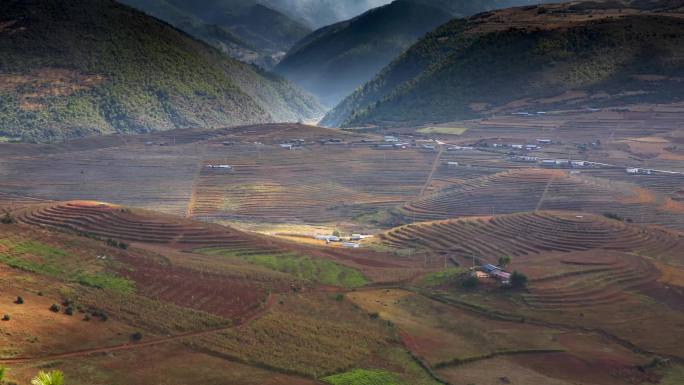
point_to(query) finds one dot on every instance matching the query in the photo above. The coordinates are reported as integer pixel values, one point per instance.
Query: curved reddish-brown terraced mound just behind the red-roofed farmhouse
(531, 233)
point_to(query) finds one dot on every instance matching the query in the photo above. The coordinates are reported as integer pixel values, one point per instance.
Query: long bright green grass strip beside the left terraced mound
(315, 270)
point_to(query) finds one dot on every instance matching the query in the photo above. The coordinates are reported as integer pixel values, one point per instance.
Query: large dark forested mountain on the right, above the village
(577, 54)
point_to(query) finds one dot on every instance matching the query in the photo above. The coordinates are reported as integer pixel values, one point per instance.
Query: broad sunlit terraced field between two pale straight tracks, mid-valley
(279, 185)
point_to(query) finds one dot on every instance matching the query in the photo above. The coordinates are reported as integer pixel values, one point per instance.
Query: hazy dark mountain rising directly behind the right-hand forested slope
(335, 60)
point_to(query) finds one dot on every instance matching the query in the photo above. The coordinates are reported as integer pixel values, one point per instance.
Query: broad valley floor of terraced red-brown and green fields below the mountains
(214, 259)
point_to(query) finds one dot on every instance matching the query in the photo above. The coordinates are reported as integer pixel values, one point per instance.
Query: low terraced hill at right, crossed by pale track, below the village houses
(544, 189)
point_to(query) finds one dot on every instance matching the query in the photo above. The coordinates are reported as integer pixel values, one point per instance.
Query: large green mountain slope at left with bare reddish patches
(85, 67)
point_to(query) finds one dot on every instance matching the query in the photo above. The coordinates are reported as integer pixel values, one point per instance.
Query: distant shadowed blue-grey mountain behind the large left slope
(246, 30)
